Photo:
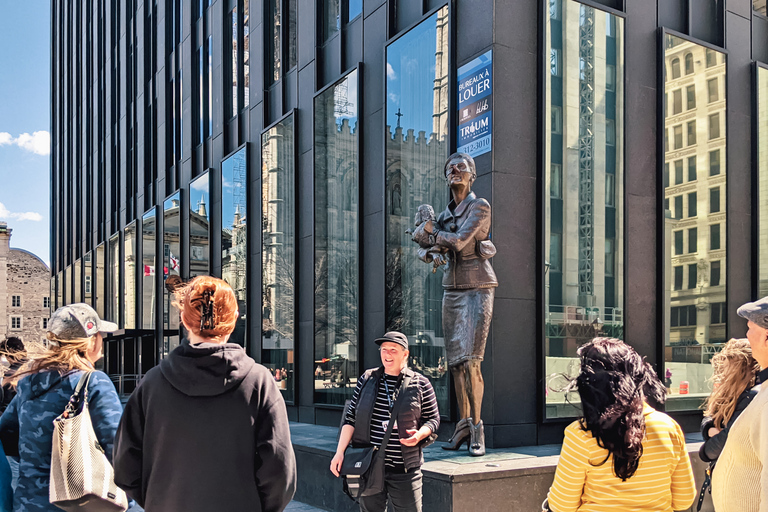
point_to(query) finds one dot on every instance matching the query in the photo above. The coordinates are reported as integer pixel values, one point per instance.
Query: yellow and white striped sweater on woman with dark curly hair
(663, 481)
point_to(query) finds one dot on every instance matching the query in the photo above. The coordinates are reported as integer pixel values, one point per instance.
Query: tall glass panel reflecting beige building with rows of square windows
(691, 290)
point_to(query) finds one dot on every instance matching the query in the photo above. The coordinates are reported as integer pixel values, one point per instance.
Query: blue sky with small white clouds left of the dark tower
(25, 123)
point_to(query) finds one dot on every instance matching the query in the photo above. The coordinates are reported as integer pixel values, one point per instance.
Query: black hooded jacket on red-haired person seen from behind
(206, 430)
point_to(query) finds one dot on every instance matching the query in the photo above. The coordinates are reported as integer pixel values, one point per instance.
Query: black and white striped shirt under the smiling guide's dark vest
(381, 414)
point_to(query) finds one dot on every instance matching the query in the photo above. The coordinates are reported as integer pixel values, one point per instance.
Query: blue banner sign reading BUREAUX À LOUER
(475, 100)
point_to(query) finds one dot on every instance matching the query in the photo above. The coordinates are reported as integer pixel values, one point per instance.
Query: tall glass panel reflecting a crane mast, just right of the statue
(584, 218)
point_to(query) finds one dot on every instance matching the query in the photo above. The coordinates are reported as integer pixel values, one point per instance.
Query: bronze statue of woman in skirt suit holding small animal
(459, 239)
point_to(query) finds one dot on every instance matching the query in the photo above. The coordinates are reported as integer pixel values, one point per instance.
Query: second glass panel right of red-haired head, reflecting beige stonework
(278, 253)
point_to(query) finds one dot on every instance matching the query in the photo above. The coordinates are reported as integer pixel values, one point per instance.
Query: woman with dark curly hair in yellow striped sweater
(622, 454)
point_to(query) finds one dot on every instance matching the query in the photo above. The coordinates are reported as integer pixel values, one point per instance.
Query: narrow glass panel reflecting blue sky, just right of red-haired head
(234, 239)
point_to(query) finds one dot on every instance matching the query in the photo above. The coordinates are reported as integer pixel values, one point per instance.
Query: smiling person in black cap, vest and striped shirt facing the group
(416, 422)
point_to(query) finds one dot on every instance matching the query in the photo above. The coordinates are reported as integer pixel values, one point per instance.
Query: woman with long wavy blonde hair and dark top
(735, 377)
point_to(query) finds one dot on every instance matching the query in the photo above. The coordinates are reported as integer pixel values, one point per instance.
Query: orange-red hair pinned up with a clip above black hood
(190, 301)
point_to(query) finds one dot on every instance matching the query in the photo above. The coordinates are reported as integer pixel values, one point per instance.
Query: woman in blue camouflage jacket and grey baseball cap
(44, 385)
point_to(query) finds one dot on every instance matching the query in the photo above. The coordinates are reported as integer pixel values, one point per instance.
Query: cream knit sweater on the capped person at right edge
(740, 479)
